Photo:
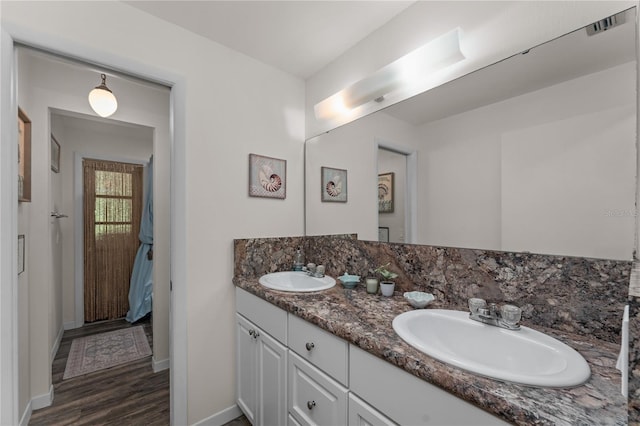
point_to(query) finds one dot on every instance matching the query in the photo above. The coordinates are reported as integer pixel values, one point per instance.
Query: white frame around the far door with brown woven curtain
(79, 222)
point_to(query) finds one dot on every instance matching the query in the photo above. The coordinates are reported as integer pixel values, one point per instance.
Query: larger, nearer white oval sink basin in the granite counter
(522, 356)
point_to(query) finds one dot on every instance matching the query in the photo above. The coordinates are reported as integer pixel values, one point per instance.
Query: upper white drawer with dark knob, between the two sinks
(321, 348)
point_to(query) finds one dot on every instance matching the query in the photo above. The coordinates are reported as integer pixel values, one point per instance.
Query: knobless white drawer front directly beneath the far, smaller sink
(270, 318)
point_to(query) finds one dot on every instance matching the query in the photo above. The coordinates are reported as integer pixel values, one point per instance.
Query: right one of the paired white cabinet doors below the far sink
(272, 381)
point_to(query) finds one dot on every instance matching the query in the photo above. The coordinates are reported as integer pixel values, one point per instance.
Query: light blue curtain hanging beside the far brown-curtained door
(141, 285)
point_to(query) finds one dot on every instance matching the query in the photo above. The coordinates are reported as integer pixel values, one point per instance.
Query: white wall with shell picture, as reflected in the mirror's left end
(353, 148)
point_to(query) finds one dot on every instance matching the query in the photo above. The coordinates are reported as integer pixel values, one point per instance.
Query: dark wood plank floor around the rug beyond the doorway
(130, 394)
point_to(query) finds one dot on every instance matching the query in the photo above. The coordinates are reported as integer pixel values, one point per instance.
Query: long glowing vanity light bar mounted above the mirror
(404, 73)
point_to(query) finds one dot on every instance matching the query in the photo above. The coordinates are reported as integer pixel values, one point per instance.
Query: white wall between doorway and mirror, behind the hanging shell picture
(229, 105)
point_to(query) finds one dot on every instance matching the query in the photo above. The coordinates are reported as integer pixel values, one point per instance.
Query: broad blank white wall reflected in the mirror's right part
(538, 172)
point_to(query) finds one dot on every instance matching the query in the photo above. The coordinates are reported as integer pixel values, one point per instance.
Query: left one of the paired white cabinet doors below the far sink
(246, 368)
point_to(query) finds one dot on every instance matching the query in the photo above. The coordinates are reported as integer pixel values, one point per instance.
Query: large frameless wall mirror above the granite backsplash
(534, 153)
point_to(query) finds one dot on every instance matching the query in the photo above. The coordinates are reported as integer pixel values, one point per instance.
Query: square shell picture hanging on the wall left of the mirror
(267, 177)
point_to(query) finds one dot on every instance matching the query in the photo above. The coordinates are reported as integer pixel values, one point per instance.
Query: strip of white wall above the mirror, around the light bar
(492, 31)
